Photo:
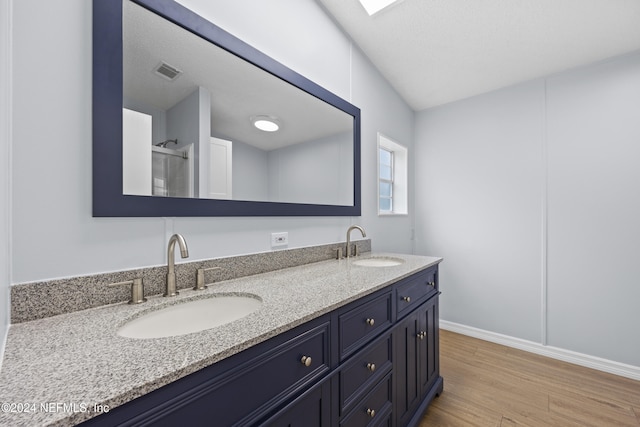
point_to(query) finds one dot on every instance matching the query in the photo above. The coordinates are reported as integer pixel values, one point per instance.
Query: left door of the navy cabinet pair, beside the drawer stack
(407, 397)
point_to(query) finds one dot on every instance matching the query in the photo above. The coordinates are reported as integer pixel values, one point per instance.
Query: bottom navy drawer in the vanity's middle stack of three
(374, 409)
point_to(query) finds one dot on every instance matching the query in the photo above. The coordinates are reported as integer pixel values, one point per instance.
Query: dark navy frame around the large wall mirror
(108, 200)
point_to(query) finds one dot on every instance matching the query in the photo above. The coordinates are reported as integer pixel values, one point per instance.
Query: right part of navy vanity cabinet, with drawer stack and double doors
(393, 333)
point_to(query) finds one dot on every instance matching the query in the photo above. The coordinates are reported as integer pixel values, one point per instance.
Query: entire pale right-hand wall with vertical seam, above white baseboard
(531, 194)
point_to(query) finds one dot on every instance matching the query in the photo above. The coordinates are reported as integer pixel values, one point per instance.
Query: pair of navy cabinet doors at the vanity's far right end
(416, 364)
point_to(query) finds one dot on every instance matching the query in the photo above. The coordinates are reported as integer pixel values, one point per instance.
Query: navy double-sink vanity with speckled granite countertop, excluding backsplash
(348, 342)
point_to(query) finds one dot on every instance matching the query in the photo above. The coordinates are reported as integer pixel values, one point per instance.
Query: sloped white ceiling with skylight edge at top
(438, 51)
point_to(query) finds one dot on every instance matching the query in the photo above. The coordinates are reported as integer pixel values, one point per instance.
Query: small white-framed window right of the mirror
(392, 177)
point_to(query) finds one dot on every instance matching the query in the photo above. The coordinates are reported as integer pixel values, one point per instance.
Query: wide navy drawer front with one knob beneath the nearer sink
(240, 390)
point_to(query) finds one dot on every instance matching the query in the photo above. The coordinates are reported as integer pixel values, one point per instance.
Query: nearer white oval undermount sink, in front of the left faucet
(191, 316)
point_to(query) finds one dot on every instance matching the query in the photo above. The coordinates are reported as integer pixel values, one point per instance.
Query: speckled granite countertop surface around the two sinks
(68, 368)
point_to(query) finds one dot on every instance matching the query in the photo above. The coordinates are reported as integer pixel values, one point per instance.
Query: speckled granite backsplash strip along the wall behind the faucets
(36, 300)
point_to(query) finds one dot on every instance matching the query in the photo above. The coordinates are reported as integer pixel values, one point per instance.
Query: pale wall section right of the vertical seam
(593, 128)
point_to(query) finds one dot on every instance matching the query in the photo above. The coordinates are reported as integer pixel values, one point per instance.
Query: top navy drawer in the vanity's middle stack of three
(362, 323)
